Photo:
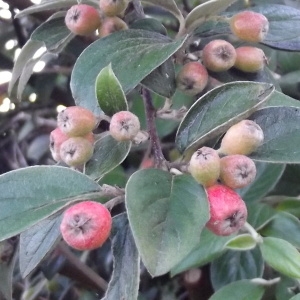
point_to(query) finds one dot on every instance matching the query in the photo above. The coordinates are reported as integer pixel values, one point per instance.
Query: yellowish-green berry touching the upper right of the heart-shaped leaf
(204, 166)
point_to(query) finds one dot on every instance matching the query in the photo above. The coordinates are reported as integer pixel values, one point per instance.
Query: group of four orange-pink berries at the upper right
(220, 55)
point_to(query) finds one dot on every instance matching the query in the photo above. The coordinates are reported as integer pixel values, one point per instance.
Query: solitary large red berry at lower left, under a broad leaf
(86, 225)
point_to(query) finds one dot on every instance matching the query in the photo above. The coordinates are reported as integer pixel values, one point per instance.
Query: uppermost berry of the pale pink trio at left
(76, 121)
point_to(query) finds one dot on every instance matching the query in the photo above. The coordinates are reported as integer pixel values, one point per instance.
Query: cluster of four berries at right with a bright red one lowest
(228, 212)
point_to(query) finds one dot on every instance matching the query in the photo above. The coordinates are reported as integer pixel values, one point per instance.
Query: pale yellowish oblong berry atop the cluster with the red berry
(242, 138)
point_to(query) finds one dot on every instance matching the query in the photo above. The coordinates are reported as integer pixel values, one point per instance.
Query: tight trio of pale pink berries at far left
(73, 141)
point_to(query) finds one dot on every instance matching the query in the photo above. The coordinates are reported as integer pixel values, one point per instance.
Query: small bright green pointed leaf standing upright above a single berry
(110, 95)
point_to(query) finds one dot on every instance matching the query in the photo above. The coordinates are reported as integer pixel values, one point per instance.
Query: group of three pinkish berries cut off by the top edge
(83, 19)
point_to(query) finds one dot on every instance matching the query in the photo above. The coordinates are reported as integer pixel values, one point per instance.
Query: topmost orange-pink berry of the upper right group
(249, 26)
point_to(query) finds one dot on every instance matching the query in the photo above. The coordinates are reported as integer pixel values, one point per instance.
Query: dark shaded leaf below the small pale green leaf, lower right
(236, 265)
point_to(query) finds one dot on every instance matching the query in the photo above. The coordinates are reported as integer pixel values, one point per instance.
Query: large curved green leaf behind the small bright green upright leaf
(144, 49)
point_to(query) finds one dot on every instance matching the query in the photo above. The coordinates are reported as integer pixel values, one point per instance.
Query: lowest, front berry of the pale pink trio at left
(76, 151)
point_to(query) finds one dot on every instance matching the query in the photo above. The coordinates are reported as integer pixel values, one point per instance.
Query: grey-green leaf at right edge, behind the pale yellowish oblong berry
(281, 135)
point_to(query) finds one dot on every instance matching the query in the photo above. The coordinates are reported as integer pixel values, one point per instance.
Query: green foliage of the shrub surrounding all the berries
(165, 214)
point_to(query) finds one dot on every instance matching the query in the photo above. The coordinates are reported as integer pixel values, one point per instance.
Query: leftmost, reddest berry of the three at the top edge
(82, 19)
